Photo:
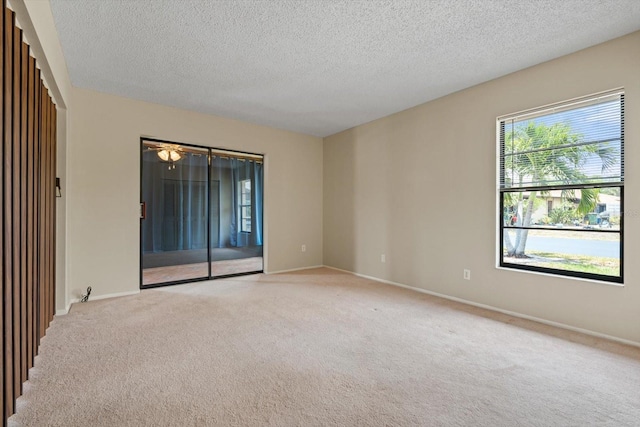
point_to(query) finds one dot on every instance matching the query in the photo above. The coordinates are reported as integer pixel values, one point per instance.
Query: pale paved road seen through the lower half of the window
(610, 249)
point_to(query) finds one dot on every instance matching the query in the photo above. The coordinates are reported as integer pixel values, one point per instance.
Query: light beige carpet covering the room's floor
(315, 348)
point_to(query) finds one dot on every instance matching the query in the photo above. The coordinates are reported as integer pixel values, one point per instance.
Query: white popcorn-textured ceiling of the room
(319, 66)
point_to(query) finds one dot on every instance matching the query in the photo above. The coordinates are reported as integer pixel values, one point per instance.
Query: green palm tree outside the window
(547, 156)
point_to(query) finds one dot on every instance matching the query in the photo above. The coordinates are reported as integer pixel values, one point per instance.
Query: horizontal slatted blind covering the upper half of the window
(574, 144)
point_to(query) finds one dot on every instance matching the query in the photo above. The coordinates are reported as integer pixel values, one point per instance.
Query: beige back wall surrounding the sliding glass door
(104, 186)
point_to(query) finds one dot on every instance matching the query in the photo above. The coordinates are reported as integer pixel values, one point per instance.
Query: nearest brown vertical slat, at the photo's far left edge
(8, 216)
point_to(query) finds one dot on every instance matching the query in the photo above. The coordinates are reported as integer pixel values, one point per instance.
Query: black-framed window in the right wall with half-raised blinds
(561, 188)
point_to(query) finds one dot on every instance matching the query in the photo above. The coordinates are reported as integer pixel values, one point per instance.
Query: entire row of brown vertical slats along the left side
(27, 210)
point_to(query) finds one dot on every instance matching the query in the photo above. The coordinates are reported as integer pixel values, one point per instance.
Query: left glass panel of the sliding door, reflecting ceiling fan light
(174, 227)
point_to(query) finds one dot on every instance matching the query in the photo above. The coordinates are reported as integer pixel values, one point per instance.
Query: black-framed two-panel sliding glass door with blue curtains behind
(201, 213)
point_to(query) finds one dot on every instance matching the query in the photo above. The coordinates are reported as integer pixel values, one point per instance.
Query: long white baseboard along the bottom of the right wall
(499, 310)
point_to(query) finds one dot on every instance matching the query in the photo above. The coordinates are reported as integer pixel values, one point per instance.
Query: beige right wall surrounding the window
(420, 187)
